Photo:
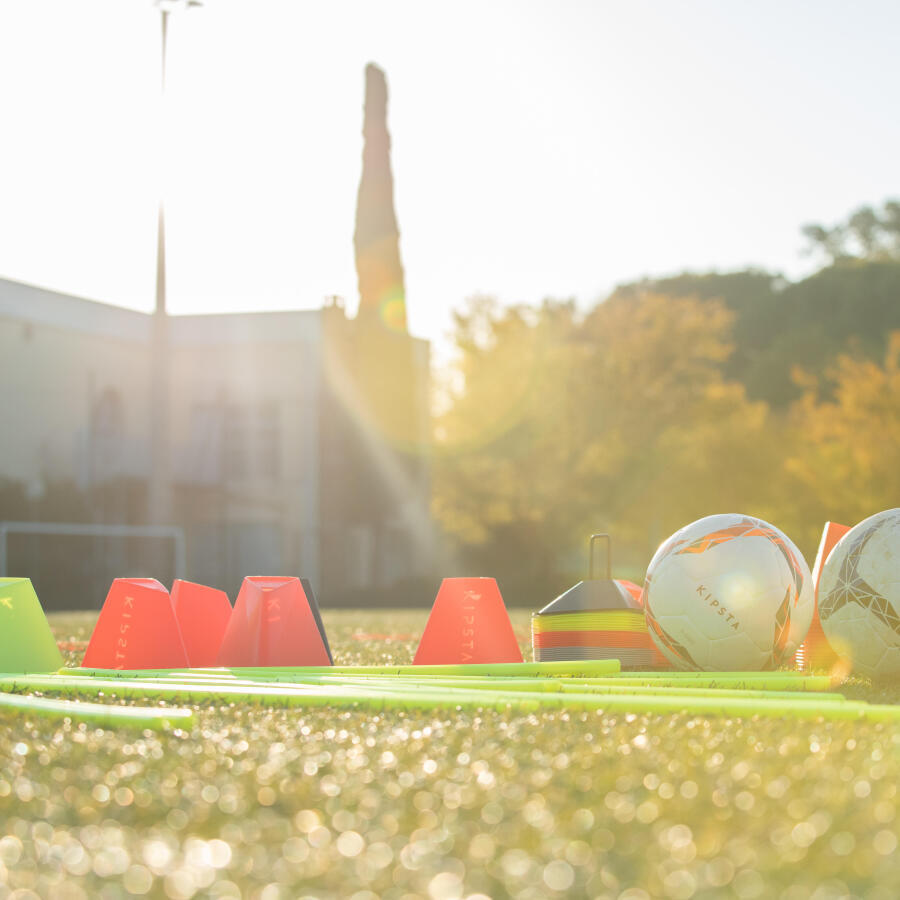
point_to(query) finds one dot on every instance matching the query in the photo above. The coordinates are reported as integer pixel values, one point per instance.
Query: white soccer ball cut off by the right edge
(859, 595)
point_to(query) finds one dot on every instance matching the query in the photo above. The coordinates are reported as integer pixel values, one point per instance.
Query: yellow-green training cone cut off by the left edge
(26, 642)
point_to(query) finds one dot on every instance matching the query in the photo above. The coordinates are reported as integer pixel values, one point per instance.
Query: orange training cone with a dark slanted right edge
(272, 625)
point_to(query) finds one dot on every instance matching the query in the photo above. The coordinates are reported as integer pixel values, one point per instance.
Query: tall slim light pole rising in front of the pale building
(158, 488)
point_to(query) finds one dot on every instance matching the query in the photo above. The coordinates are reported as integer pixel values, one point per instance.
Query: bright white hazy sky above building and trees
(540, 149)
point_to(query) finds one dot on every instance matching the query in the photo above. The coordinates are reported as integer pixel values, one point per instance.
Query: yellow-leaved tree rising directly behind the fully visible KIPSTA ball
(696, 445)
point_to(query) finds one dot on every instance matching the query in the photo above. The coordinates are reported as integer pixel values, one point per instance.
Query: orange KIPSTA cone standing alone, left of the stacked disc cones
(468, 624)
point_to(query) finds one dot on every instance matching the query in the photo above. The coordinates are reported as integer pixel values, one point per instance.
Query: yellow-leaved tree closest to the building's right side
(504, 445)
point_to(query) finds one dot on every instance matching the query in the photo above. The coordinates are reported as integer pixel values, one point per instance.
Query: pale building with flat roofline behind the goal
(296, 441)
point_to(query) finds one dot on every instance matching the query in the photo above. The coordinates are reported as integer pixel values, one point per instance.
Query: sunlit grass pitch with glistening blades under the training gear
(286, 804)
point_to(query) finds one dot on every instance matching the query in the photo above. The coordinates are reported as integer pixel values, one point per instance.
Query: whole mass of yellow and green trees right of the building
(673, 399)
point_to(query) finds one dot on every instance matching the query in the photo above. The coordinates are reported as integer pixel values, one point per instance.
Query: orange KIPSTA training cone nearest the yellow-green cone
(136, 629)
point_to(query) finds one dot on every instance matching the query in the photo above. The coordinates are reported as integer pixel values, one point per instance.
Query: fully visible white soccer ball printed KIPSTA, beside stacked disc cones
(728, 592)
